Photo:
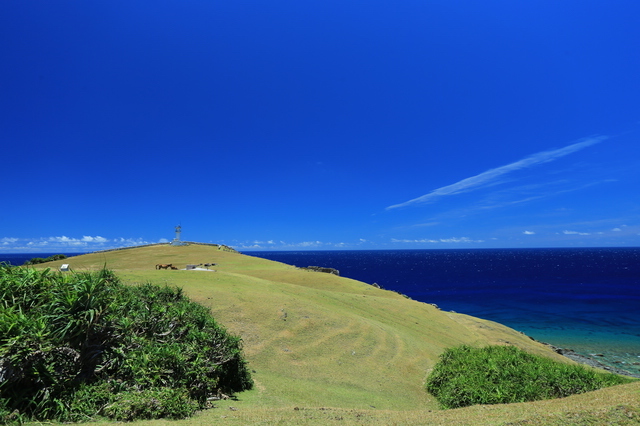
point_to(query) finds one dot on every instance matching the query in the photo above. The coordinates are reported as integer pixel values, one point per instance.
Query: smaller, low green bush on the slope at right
(503, 374)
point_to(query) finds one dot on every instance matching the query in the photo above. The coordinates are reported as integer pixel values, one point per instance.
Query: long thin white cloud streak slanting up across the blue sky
(494, 176)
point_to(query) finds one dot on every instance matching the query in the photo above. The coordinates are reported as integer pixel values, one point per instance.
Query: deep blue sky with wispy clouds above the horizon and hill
(288, 125)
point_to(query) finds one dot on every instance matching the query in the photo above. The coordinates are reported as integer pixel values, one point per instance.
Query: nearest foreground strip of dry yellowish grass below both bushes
(615, 406)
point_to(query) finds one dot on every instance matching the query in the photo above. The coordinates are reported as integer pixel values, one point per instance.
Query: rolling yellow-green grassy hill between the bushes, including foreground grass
(327, 349)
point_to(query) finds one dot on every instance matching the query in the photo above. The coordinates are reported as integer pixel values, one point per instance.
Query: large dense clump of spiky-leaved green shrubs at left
(76, 347)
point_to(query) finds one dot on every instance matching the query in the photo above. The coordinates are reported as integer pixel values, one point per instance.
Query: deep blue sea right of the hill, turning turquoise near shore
(586, 299)
